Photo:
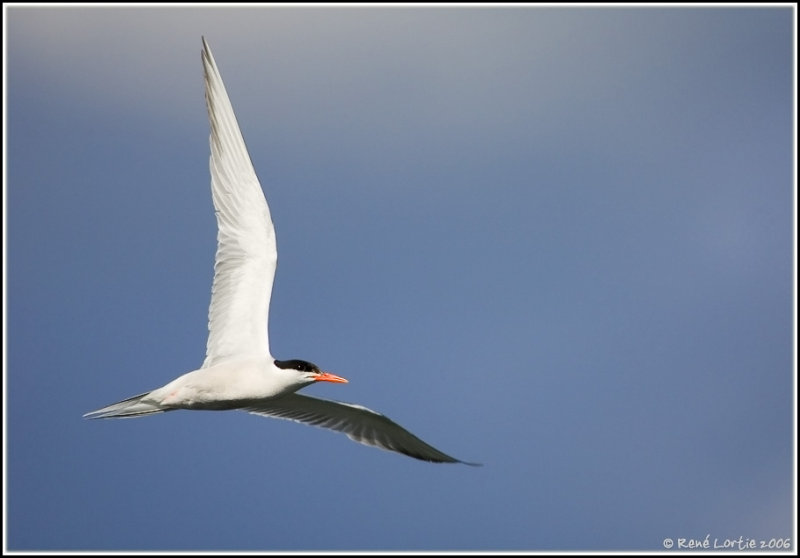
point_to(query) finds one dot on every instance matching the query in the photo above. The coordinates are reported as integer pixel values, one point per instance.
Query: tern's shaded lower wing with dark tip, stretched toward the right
(359, 423)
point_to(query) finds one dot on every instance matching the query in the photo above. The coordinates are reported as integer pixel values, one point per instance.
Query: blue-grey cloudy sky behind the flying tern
(555, 241)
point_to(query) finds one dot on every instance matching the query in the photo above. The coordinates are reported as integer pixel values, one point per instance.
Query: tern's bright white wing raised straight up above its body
(244, 267)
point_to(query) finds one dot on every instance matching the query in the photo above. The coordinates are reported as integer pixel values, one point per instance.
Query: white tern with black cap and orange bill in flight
(239, 371)
